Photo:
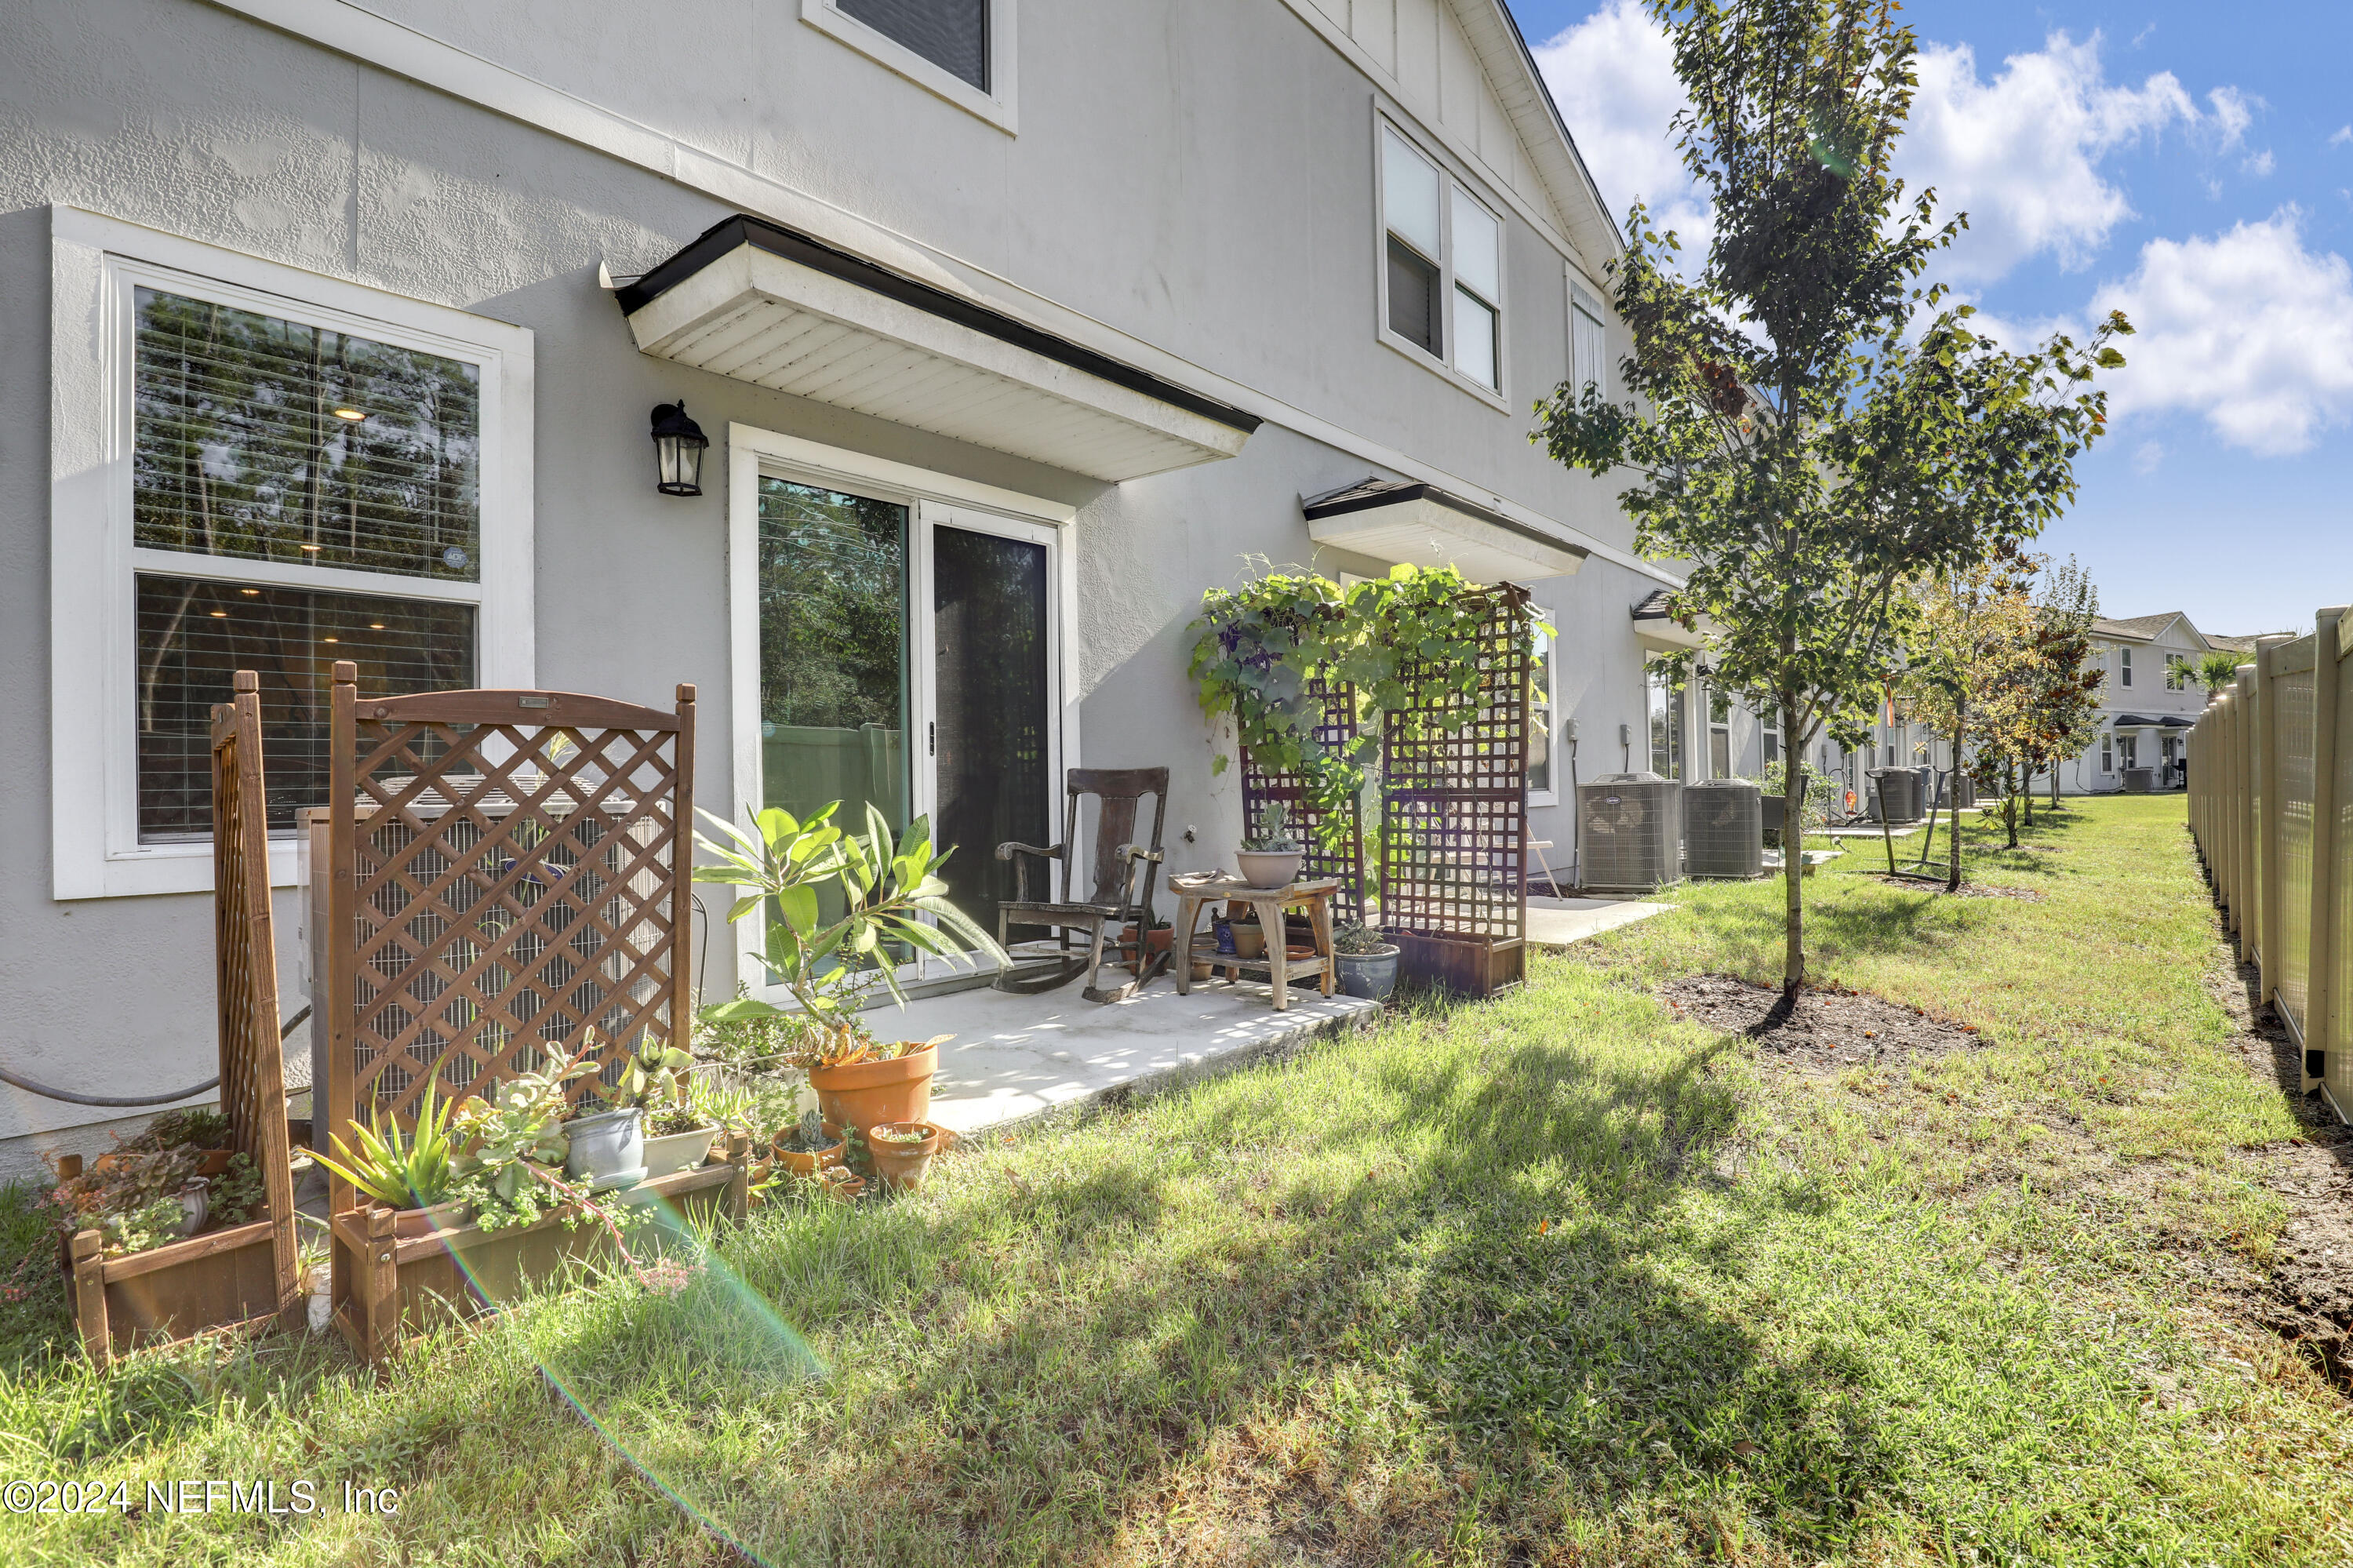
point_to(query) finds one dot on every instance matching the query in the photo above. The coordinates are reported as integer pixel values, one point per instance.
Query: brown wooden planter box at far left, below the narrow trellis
(173, 1291)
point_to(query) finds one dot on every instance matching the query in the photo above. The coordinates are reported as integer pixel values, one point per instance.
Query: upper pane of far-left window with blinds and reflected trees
(241, 449)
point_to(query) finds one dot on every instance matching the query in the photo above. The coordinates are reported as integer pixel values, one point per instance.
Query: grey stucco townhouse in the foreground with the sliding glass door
(1013, 326)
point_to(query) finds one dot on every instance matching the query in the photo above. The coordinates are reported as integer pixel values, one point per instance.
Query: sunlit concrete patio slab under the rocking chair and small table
(1015, 1058)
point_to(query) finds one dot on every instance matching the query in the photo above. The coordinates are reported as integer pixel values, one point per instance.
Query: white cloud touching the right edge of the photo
(2248, 331)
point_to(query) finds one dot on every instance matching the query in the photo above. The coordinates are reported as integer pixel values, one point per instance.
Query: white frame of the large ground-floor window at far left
(95, 263)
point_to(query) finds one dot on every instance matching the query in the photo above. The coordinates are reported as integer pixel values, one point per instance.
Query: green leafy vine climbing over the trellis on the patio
(1406, 644)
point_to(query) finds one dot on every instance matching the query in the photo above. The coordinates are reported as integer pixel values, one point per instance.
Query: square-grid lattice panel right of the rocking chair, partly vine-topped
(1455, 802)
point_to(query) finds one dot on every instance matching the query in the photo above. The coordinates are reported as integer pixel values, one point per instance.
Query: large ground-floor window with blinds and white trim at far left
(258, 470)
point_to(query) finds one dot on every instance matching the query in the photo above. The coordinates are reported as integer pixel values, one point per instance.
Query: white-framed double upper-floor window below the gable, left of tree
(1444, 265)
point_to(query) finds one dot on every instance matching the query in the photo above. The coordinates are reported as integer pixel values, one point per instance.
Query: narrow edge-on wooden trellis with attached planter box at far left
(244, 1273)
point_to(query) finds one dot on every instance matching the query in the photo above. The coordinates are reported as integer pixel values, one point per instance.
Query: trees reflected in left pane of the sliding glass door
(832, 609)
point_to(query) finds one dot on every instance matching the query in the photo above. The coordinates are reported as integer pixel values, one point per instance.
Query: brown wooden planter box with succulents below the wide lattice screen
(387, 1287)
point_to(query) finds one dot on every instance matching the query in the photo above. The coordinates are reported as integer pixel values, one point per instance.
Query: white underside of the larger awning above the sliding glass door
(771, 321)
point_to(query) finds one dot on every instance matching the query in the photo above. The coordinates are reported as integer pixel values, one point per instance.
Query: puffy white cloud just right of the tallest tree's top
(2020, 154)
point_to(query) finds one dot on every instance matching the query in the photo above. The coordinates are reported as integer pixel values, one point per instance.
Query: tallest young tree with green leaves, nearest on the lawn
(1811, 423)
